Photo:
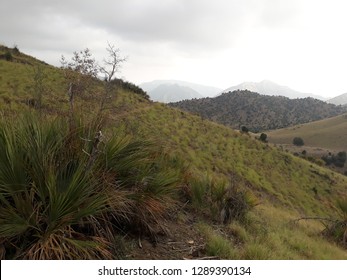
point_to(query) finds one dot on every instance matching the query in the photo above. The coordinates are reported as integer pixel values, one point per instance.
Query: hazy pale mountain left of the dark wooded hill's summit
(174, 90)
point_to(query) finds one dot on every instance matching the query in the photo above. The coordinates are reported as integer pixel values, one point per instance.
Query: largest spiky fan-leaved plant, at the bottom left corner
(49, 202)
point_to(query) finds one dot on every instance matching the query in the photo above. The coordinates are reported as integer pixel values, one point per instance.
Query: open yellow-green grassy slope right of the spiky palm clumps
(284, 184)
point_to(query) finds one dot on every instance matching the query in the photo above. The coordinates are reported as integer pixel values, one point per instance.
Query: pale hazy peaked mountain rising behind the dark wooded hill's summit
(267, 87)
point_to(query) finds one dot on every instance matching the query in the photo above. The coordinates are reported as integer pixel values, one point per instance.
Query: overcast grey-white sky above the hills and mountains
(298, 43)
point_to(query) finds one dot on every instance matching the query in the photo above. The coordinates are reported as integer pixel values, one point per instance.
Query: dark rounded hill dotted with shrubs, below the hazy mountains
(259, 112)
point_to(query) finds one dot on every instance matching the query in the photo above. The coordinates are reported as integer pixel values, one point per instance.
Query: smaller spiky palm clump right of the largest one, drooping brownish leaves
(141, 184)
